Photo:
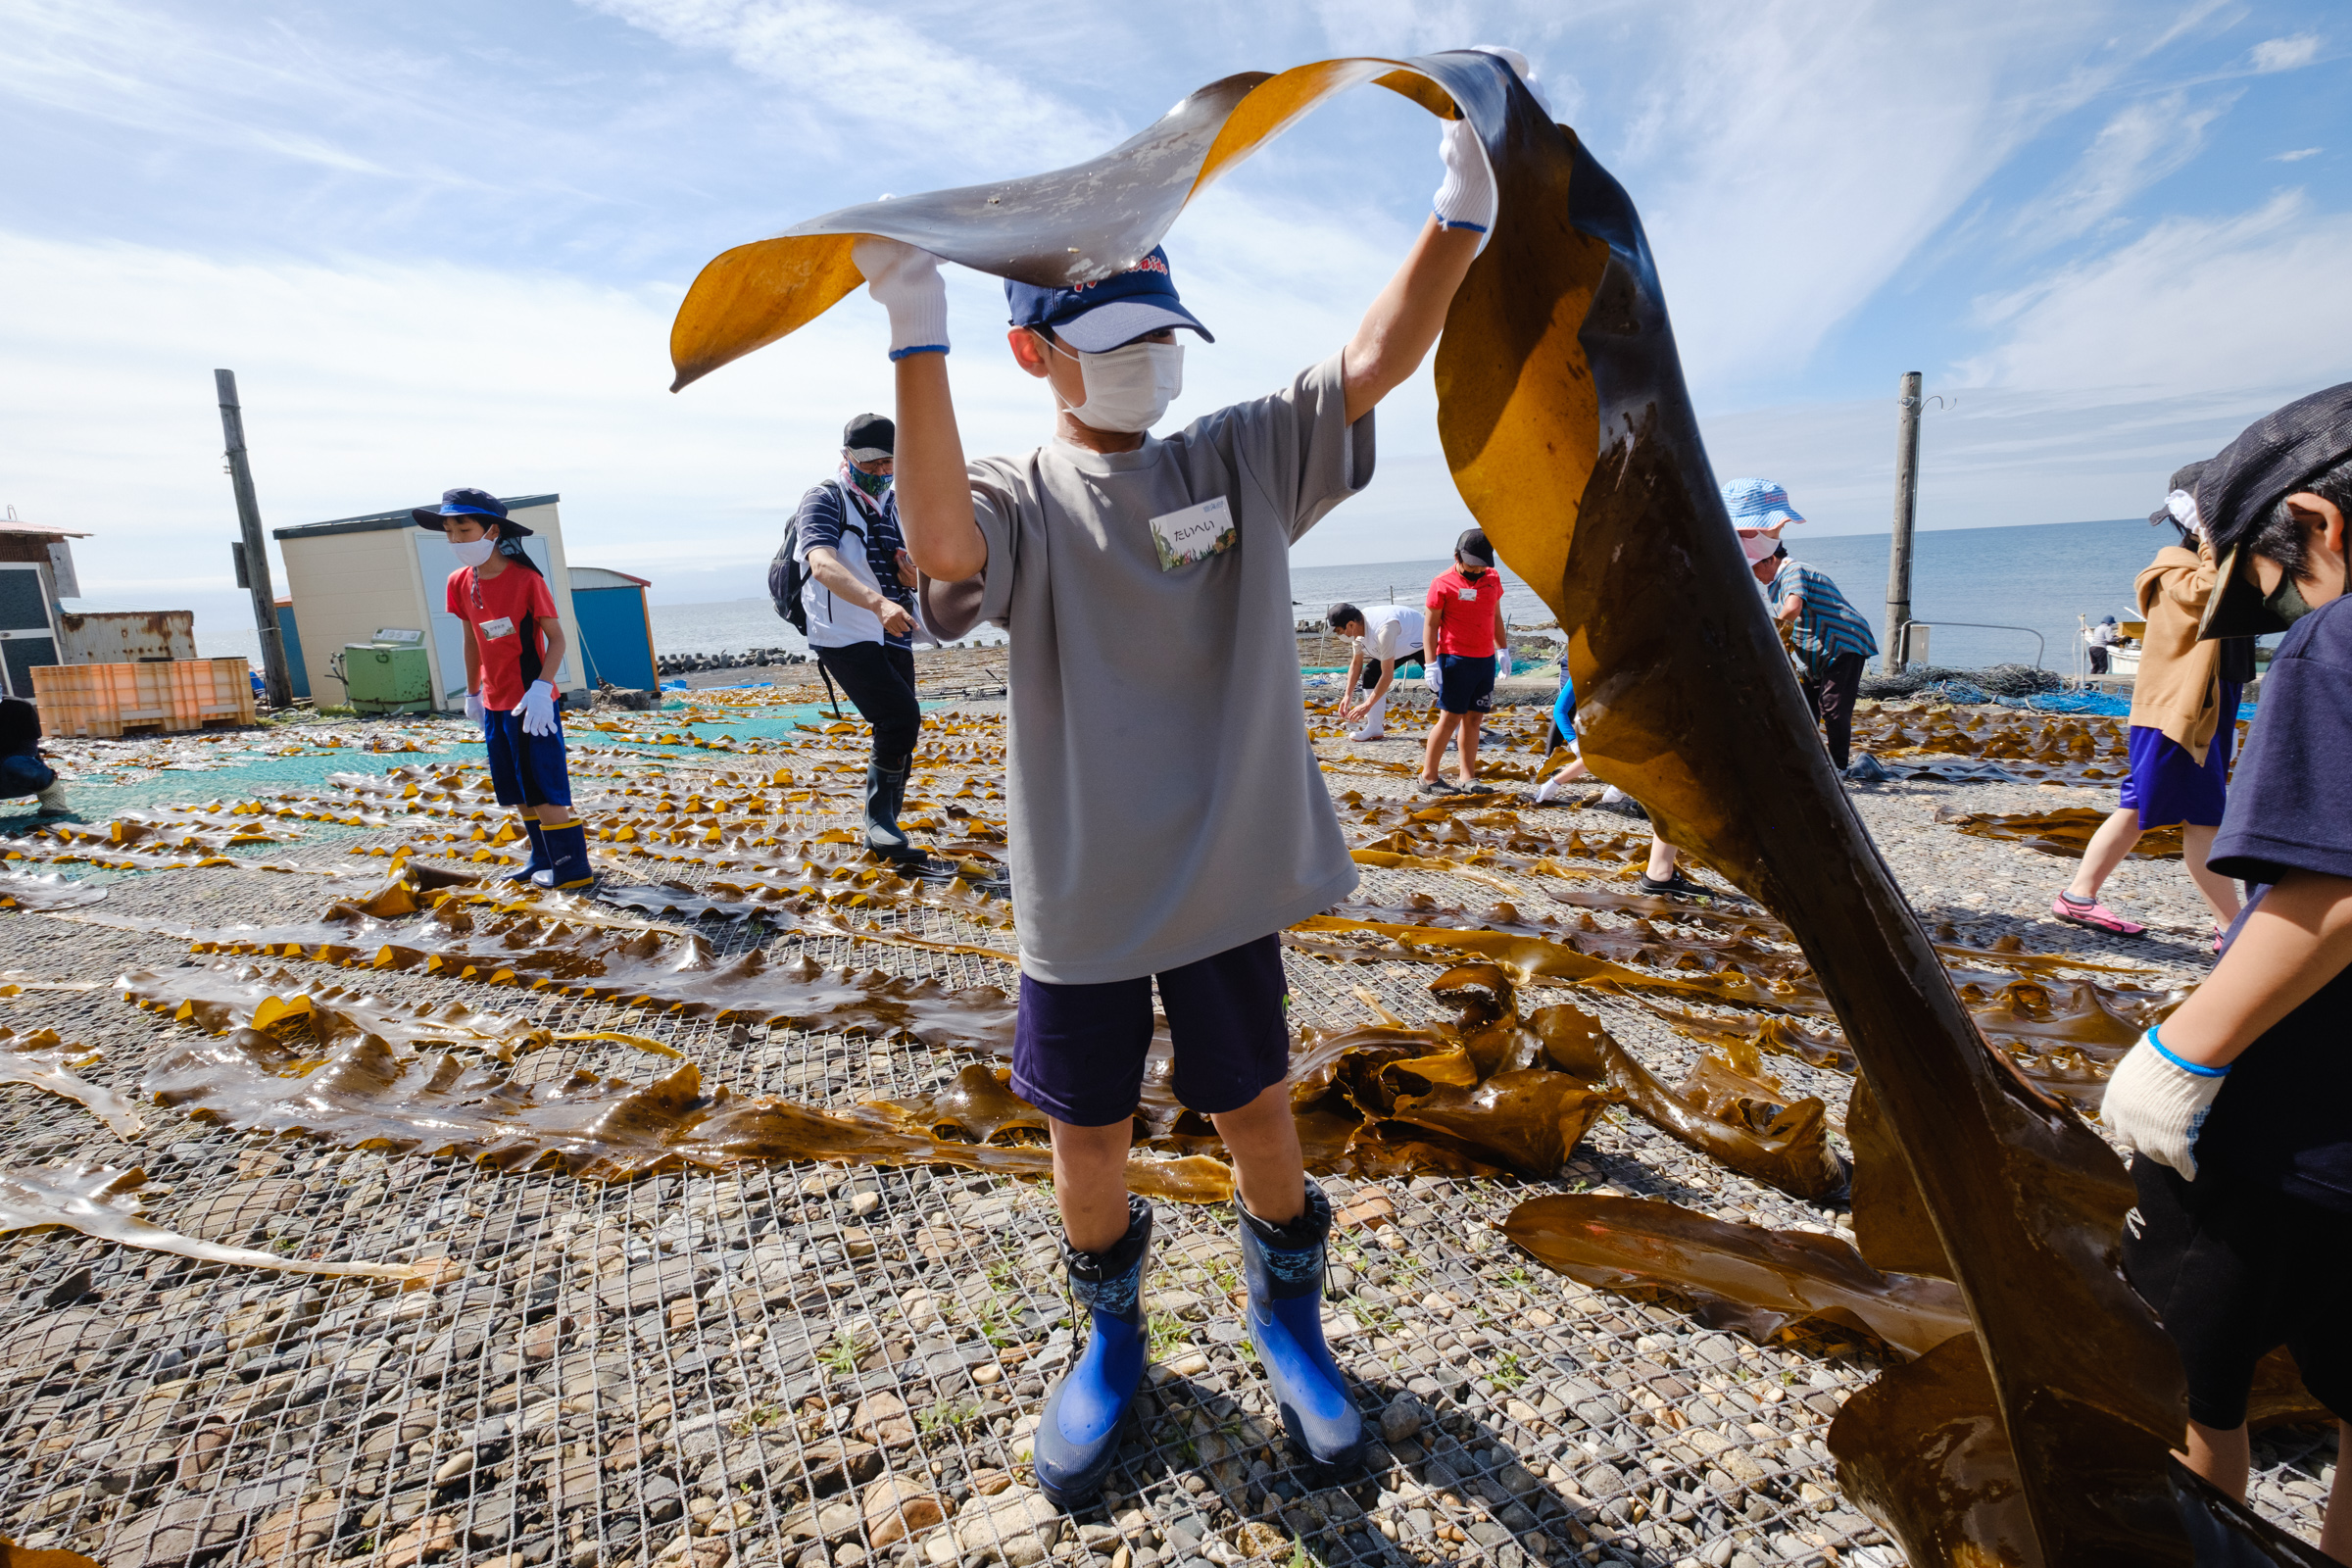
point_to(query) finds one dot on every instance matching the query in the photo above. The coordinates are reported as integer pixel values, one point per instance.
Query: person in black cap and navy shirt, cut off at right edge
(2240, 1106)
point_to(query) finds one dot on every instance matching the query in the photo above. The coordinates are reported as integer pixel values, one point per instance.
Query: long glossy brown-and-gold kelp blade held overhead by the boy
(1570, 434)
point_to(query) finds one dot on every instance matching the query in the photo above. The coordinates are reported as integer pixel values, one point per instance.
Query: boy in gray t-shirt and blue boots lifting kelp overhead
(1168, 815)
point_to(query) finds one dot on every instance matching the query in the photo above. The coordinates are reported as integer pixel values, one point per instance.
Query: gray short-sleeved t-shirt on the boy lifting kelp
(1163, 800)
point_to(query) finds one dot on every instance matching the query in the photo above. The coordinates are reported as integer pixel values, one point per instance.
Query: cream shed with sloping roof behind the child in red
(356, 575)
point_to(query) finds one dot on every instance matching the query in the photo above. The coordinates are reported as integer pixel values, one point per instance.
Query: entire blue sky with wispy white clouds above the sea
(443, 243)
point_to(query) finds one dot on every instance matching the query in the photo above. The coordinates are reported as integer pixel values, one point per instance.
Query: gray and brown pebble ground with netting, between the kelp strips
(838, 1367)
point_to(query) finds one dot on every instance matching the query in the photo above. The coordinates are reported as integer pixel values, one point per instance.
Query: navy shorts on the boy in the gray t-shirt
(1078, 1050)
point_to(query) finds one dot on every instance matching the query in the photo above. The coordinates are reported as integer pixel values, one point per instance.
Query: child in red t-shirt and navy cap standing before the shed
(512, 638)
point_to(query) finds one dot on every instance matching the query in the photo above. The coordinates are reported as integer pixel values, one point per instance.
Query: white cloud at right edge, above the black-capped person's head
(2193, 304)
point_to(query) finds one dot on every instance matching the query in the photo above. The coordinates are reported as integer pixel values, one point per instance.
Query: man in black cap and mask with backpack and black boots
(860, 596)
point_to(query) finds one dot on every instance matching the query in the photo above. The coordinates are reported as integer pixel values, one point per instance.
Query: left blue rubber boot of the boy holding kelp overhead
(1081, 1428)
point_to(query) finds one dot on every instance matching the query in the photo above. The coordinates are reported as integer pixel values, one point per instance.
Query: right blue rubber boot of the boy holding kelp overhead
(1285, 1273)
